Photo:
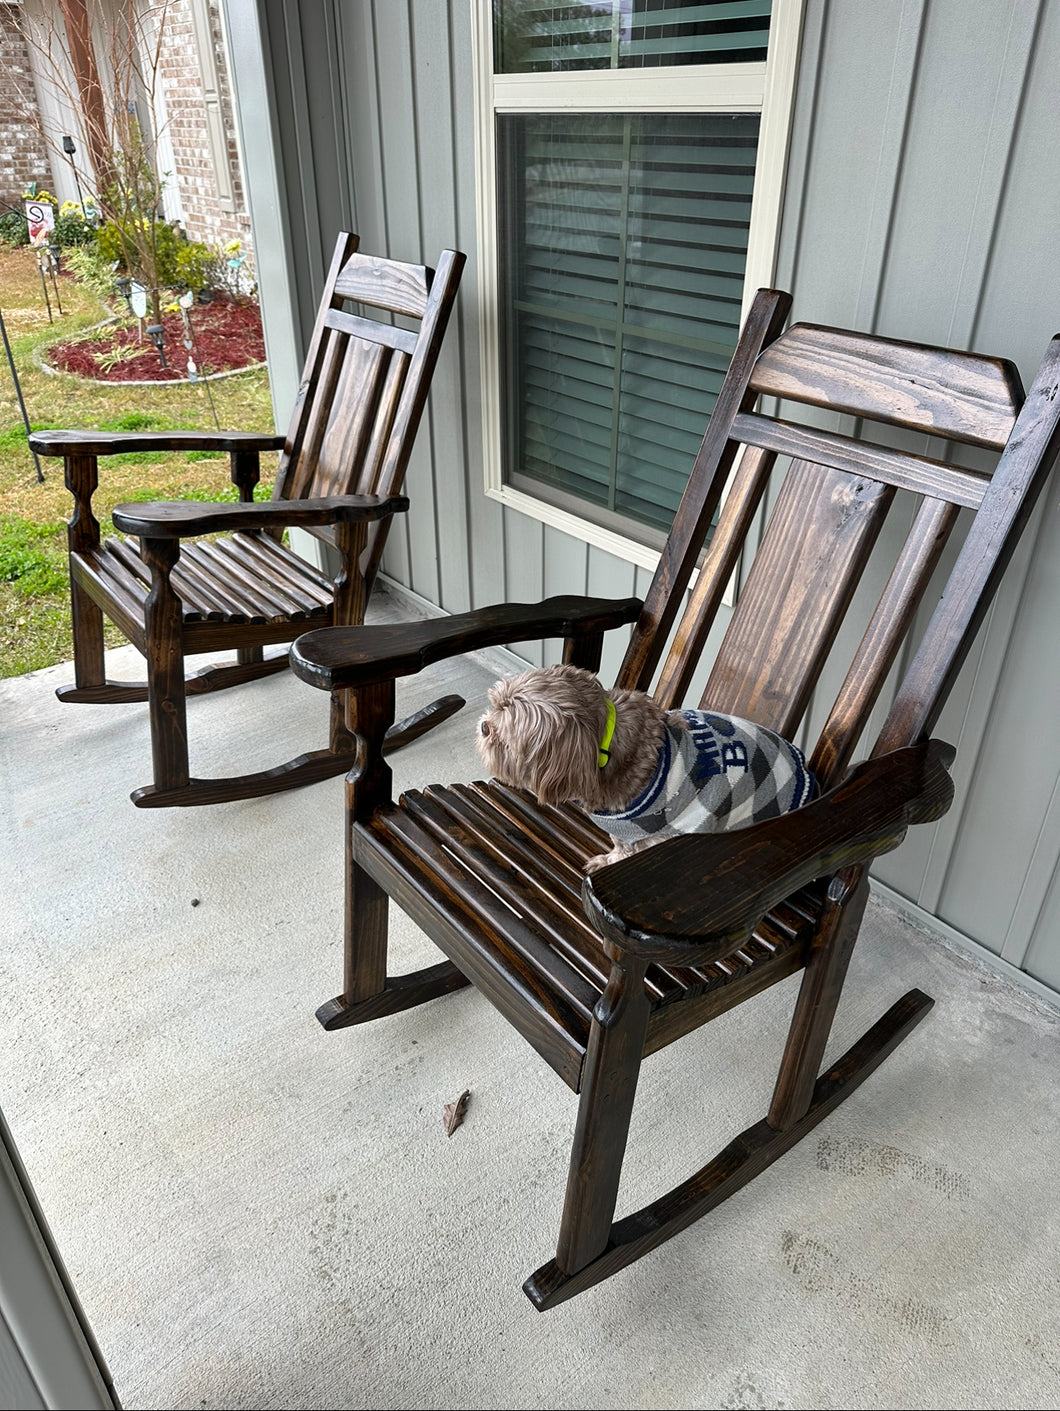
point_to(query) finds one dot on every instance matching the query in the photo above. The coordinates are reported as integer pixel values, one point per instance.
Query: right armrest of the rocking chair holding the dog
(697, 898)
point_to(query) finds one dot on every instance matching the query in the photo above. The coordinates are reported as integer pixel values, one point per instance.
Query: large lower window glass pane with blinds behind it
(625, 241)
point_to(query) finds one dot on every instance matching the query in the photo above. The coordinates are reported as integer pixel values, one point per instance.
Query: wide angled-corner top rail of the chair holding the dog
(963, 397)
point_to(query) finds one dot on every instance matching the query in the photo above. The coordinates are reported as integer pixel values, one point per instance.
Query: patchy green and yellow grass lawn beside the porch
(35, 596)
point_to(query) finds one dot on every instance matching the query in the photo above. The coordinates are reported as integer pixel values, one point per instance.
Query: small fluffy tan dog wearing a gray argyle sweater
(643, 774)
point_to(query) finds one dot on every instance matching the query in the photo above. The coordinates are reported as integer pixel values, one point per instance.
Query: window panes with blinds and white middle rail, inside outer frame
(623, 221)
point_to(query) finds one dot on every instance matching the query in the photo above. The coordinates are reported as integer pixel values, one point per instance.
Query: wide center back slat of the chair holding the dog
(804, 578)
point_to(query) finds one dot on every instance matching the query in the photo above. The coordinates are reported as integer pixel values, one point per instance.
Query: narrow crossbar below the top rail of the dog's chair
(893, 468)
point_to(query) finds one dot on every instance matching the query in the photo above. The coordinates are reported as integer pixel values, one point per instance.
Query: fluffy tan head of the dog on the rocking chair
(543, 733)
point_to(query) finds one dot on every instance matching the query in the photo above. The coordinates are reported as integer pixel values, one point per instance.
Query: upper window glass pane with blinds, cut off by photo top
(538, 37)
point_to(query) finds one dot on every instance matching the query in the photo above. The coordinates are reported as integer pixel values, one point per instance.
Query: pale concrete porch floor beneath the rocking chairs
(259, 1214)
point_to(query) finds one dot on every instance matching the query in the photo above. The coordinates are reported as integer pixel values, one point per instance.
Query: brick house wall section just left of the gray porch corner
(208, 214)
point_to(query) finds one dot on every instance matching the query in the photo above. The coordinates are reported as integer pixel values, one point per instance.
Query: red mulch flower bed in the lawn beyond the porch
(227, 335)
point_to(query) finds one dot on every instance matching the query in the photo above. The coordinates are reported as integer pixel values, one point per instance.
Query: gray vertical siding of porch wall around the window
(922, 202)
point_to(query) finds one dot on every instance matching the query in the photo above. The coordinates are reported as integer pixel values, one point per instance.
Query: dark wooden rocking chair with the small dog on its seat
(599, 973)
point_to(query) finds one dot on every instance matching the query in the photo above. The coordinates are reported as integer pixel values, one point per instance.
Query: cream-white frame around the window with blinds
(711, 88)
